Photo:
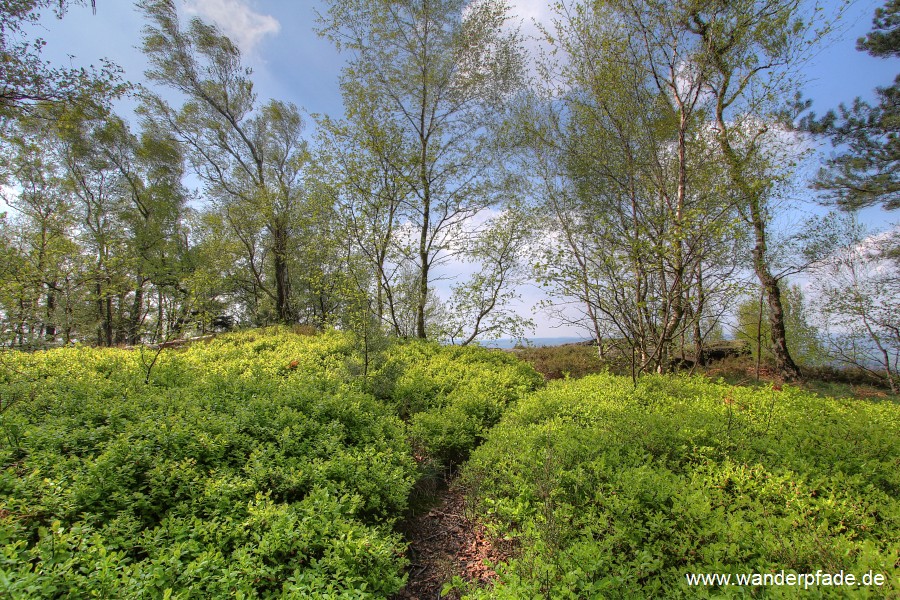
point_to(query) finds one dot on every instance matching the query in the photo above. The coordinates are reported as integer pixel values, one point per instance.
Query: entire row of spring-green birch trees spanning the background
(636, 170)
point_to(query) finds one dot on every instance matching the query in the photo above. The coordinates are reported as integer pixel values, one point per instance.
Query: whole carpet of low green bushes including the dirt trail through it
(263, 465)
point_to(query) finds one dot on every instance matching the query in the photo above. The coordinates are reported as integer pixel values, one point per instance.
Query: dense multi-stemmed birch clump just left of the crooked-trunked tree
(622, 139)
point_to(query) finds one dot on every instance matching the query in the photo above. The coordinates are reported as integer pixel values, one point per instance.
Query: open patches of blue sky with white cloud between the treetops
(292, 63)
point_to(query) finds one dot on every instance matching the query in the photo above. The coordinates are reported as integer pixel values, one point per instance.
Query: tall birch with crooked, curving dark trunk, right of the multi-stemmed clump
(748, 52)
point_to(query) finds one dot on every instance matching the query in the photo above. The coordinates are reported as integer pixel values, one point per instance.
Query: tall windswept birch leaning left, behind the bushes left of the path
(251, 159)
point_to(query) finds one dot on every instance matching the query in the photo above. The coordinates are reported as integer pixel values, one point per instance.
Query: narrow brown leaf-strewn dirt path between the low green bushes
(444, 544)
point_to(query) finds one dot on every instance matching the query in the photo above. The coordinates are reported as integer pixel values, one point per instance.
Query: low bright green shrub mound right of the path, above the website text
(614, 491)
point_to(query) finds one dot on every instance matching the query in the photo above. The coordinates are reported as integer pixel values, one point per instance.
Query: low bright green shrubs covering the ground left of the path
(255, 465)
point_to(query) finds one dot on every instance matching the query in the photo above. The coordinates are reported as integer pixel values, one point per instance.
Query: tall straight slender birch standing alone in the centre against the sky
(440, 71)
